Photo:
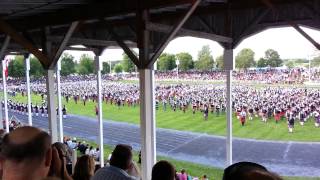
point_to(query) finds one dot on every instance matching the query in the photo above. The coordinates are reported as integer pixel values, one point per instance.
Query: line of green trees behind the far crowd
(166, 62)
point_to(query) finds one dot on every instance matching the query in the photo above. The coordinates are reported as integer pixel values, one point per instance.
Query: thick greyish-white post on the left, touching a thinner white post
(51, 102)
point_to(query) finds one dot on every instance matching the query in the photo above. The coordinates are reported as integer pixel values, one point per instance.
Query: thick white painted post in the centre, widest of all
(147, 121)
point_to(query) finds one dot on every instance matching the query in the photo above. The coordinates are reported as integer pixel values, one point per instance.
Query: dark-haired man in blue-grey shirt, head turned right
(120, 164)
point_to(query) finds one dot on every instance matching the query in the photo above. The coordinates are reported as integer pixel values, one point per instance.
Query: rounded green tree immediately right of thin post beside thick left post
(68, 65)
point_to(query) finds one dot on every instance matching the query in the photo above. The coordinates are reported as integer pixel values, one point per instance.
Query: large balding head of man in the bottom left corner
(26, 154)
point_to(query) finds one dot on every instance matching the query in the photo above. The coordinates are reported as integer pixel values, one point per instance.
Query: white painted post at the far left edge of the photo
(5, 98)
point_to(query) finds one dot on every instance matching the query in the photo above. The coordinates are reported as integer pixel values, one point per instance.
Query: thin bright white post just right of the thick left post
(58, 69)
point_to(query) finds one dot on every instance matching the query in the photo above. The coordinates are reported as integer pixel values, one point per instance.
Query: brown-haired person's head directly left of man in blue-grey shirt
(84, 168)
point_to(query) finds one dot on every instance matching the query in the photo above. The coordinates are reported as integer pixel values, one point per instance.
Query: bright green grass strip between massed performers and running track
(188, 122)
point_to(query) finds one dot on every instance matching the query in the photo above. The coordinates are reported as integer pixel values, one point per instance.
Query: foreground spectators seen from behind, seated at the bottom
(27, 153)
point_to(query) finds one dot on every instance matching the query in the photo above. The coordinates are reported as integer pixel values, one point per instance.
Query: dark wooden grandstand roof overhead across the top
(225, 21)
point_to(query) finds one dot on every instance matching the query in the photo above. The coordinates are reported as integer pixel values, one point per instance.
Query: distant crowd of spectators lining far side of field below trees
(270, 76)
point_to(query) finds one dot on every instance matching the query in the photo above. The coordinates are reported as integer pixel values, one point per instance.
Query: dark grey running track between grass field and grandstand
(286, 158)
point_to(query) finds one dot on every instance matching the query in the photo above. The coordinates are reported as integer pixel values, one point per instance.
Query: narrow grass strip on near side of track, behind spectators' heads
(193, 169)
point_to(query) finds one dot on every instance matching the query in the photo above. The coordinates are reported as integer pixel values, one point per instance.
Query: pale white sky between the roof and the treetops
(287, 41)
